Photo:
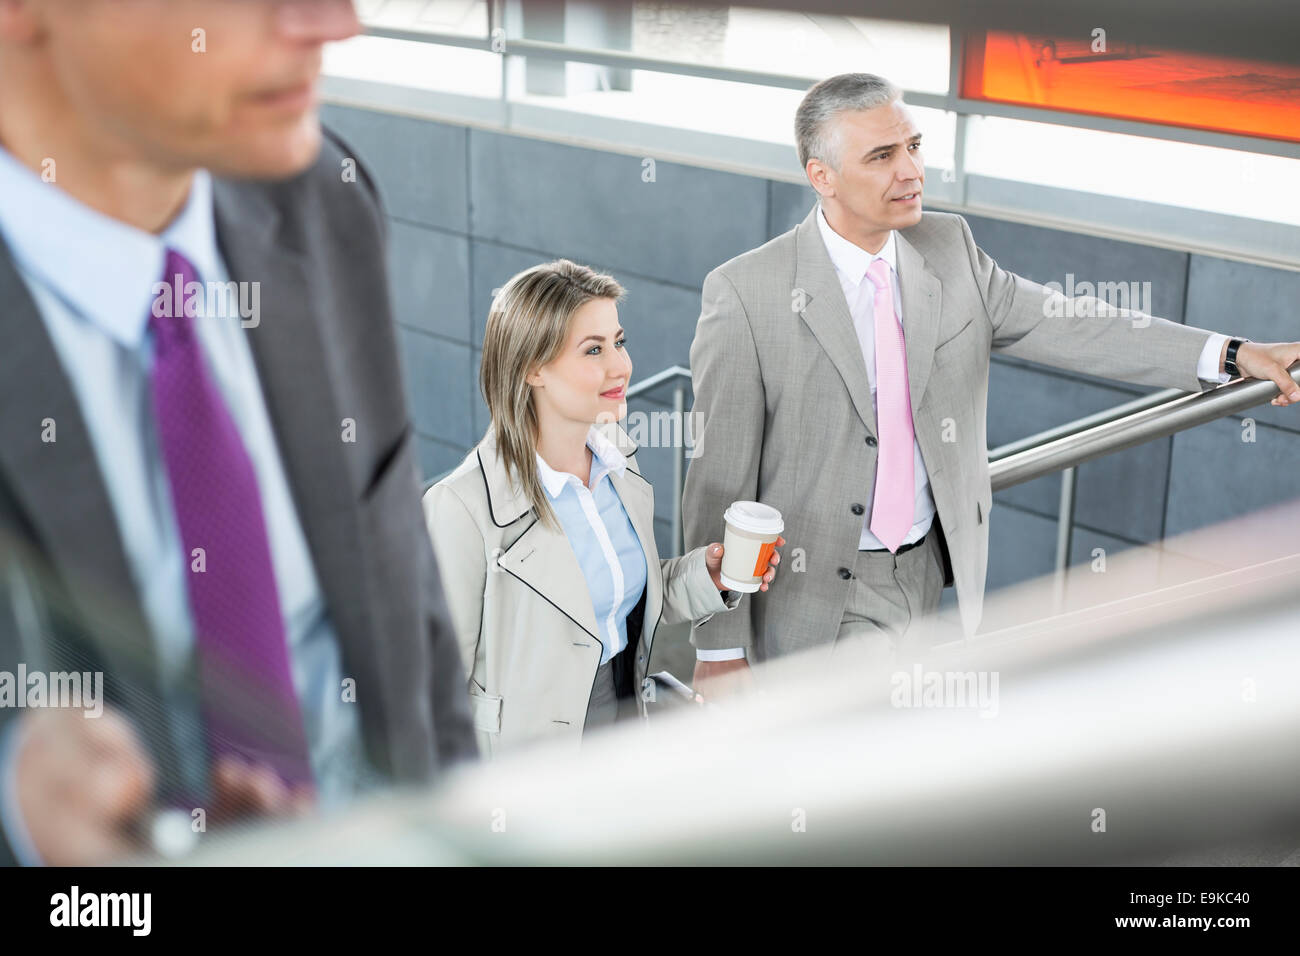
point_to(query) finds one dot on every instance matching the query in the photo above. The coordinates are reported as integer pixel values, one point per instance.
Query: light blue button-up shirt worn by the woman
(603, 538)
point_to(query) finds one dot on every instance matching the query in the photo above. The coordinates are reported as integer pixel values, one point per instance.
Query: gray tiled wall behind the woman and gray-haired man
(469, 209)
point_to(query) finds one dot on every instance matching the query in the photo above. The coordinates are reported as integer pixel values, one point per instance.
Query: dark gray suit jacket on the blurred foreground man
(326, 351)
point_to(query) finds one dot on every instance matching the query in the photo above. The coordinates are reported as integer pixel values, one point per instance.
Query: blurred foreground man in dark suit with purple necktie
(209, 482)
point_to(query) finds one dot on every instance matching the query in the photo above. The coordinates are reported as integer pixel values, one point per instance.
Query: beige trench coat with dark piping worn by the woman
(522, 608)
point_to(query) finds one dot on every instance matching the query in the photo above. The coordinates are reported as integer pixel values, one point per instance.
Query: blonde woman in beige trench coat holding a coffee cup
(545, 533)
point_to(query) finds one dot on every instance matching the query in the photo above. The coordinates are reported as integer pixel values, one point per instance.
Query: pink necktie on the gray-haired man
(896, 492)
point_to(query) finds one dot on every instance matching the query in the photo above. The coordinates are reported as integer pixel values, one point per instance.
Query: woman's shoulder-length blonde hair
(527, 328)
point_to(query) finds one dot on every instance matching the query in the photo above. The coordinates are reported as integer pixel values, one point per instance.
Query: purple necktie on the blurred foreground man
(246, 686)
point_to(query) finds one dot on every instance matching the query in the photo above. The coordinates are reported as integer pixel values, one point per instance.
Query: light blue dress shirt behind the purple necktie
(93, 280)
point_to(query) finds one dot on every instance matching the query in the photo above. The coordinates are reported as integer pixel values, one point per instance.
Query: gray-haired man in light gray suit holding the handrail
(842, 377)
